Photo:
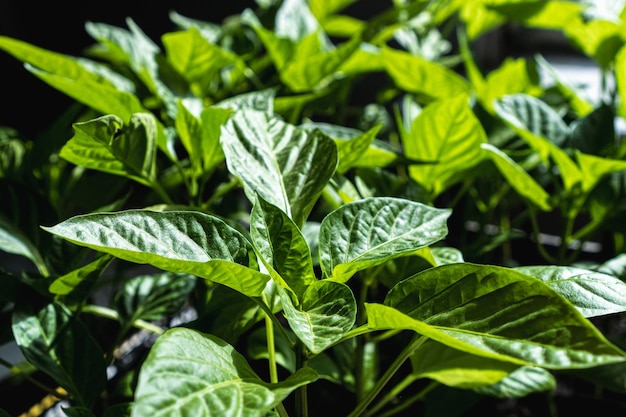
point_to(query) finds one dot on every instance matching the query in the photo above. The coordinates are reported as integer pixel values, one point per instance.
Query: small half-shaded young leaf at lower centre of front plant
(327, 312)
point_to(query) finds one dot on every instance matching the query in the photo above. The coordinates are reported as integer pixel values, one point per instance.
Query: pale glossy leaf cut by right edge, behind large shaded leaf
(592, 293)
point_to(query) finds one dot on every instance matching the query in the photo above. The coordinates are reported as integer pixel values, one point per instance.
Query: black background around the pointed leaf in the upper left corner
(27, 103)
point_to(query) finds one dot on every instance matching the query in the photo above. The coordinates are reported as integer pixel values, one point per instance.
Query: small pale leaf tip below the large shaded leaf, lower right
(523, 381)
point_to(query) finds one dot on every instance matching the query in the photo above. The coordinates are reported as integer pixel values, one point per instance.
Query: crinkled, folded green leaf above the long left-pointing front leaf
(105, 144)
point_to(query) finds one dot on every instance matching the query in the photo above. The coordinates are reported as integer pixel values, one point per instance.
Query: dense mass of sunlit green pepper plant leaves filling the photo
(286, 179)
